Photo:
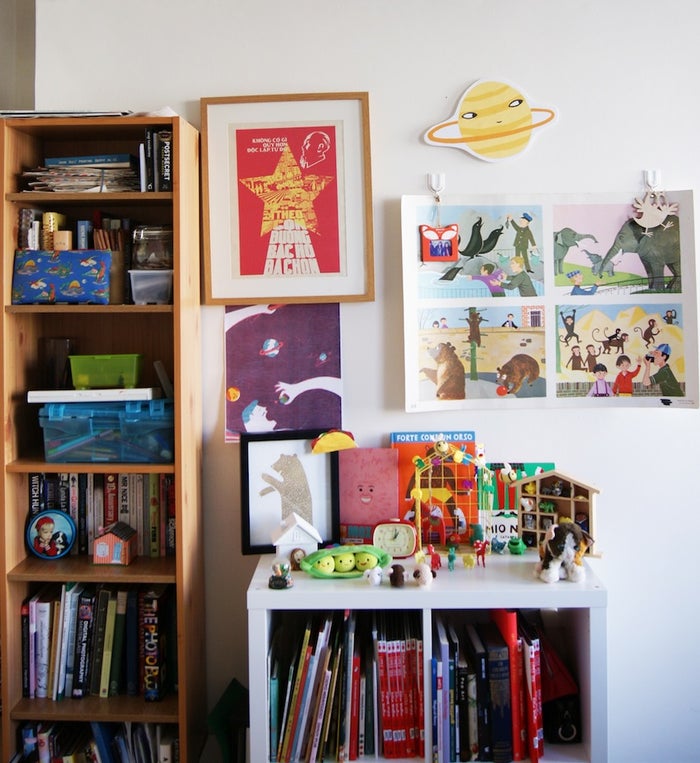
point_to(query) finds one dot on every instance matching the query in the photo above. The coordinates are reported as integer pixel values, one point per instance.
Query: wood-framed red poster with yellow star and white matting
(287, 198)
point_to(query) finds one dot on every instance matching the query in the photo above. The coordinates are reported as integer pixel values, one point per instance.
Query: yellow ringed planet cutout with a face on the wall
(494, 121)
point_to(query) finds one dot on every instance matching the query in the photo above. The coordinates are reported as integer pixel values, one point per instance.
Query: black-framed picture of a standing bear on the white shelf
(263, 504)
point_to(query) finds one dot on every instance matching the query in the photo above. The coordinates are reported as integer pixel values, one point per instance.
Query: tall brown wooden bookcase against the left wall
(169, 333)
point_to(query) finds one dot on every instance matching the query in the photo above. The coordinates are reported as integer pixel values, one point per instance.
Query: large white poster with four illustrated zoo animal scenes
(550, 300)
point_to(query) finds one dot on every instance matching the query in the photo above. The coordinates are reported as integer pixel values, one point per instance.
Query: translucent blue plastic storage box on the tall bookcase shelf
(131, 432)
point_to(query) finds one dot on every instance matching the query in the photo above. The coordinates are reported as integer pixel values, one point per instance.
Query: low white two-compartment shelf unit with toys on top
(507, 581)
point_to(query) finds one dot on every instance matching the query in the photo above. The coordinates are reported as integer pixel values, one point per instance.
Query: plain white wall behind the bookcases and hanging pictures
(622, 76)
